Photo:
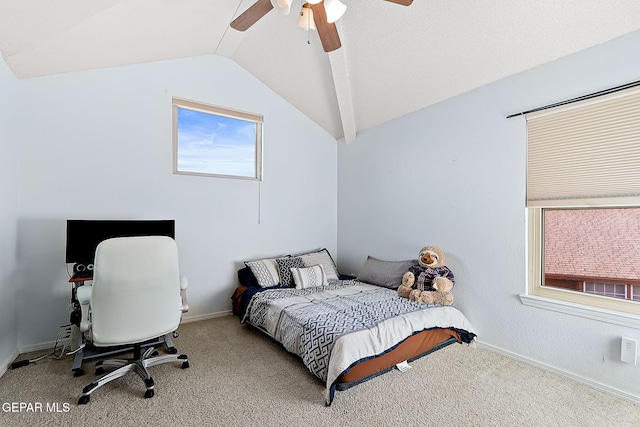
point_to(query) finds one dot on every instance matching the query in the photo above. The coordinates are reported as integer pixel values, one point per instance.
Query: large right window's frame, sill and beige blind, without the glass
(593, 131)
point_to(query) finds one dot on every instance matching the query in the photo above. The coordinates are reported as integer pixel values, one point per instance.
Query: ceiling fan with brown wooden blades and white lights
(319, 9)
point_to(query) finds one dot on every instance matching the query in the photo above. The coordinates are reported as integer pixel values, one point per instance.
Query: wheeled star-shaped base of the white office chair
(138, 364)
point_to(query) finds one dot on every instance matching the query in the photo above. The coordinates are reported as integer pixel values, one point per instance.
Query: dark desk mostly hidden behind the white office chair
(88, 351)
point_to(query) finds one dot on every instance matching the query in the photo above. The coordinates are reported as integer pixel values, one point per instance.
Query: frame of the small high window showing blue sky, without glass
(201, 107)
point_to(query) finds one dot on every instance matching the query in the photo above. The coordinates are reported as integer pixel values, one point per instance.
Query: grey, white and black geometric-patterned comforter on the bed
(333, 327)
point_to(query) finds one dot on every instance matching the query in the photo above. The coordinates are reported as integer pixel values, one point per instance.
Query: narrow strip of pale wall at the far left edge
(9, 200)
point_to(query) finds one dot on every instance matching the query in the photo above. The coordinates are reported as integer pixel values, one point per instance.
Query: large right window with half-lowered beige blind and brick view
(583, 197)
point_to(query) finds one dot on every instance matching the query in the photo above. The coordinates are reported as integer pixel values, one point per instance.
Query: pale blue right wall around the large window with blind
(453, 175)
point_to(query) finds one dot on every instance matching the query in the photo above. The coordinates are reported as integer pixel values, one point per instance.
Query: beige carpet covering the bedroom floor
(239, 377)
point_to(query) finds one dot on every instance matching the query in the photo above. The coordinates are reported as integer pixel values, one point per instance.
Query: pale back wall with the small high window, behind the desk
(97, 145)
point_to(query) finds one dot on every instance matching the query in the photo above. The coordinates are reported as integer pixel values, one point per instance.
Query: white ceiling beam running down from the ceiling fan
(341, 82)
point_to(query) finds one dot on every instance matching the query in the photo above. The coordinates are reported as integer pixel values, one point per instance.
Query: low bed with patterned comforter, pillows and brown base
(344, 329)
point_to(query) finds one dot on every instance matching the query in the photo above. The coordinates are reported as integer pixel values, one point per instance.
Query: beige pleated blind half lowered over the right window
(585, 153)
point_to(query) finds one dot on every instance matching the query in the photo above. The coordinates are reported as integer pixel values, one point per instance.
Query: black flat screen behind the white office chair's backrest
(83, 236)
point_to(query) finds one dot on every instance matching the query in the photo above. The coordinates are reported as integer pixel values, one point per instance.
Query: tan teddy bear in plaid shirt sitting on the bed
(432, 279)
